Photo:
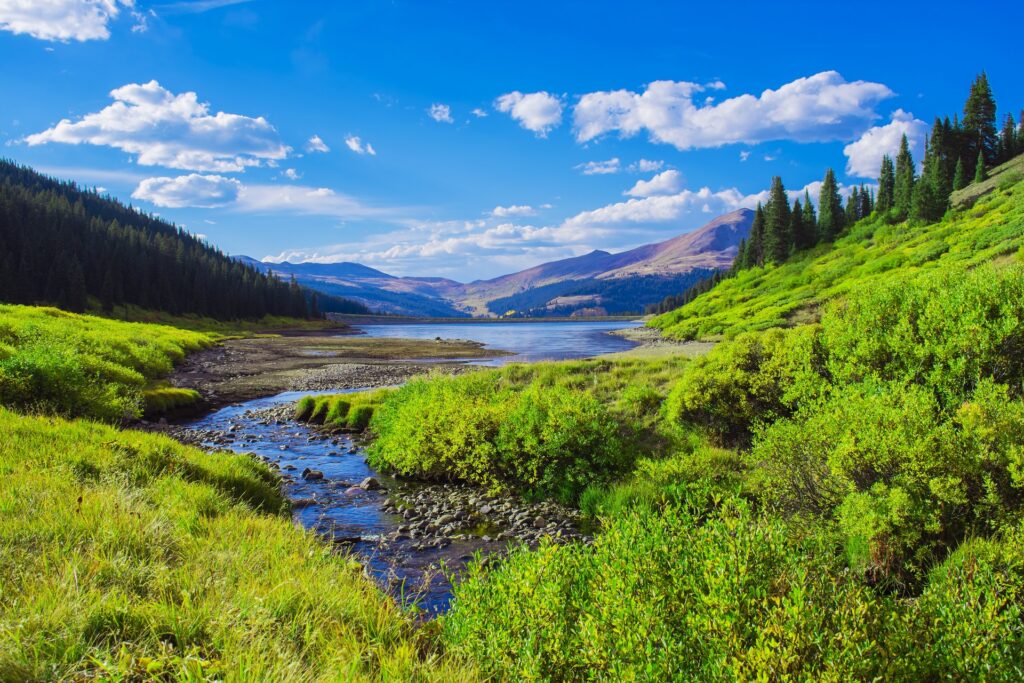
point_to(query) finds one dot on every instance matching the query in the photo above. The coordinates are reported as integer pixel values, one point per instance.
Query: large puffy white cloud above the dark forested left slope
(176, 132)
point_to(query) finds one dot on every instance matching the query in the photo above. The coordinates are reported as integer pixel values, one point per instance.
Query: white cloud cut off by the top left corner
(62, 20)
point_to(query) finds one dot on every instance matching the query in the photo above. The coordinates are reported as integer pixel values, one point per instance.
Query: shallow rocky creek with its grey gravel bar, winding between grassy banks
(410, 536)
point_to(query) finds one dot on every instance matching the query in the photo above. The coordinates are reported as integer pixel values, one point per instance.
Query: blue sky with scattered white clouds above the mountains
(470, 140)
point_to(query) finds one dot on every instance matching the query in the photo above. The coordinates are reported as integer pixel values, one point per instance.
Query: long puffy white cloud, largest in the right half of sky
(820, 108)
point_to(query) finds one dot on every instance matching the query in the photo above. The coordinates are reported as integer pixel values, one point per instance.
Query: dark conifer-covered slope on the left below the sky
(61, 245)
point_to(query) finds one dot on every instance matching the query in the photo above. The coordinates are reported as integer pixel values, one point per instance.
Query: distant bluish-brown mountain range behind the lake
(598, 283)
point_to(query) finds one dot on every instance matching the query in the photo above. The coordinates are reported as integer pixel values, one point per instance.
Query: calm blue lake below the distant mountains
(529, 343)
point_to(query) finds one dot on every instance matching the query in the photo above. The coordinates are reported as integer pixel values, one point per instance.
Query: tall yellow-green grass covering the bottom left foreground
(126, 557)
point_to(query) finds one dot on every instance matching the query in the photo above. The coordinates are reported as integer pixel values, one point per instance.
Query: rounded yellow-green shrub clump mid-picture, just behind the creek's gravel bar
(545, 441)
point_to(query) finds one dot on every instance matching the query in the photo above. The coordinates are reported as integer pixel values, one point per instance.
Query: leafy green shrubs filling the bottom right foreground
(690, 593)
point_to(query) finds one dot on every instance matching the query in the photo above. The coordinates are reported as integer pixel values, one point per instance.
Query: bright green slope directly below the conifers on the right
(872, 251)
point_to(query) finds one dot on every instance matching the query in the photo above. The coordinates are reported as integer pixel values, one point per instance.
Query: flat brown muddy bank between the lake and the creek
(241, 370)
